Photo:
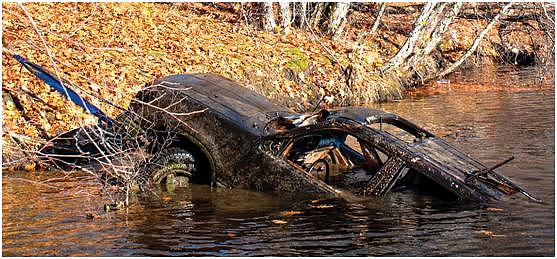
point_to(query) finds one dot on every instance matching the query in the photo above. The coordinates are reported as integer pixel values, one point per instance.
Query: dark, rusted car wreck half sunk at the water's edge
(207, 129)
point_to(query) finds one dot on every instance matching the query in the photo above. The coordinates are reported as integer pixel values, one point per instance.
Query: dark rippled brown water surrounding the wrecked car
(514, 116)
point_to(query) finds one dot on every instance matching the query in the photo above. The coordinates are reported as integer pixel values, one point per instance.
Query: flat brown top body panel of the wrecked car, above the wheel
(238, 104)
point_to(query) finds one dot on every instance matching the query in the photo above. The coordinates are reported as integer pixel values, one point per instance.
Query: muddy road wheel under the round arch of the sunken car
(171, 167)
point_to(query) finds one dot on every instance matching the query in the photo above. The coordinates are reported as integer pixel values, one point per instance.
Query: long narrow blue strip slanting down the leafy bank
(51, 80)
